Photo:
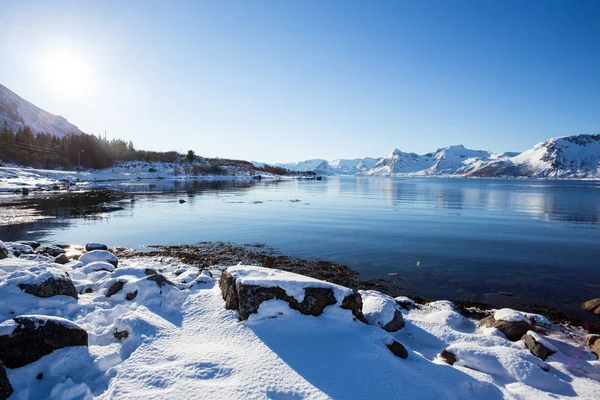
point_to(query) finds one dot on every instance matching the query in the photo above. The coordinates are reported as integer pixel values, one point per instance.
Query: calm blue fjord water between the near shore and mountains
(439, 238)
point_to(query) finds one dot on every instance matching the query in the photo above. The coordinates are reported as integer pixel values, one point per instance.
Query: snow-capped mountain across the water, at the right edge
(565, 157)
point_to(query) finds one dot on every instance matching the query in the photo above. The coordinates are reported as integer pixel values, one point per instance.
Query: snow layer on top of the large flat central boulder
(292, 284)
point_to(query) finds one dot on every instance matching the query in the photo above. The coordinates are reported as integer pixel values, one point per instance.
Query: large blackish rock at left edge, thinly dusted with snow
(35, 337)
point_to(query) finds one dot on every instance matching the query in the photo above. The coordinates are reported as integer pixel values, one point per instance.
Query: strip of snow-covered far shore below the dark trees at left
(14, 178)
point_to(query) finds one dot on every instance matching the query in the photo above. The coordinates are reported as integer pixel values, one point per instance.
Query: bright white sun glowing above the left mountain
(67, 72)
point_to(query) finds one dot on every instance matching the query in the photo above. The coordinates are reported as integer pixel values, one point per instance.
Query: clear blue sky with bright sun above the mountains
(289, 80)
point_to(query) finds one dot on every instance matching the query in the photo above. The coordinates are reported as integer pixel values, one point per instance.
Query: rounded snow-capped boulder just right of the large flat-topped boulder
(381, 310)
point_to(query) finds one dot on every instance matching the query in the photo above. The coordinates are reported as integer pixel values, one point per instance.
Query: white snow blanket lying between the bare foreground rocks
(183, 343)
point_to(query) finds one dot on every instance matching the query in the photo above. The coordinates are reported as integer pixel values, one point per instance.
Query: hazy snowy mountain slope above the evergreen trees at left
(18, 112)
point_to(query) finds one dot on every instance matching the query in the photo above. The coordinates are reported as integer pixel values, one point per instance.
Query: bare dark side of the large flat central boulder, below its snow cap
(247, 298)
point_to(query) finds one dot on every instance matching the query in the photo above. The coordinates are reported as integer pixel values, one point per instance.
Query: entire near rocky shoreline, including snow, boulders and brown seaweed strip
(92, 308)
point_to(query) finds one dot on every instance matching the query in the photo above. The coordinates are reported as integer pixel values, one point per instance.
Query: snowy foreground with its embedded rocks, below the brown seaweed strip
(157, 328)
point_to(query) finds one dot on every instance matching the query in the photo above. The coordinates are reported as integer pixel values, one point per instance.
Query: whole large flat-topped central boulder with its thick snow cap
(246, 297)
